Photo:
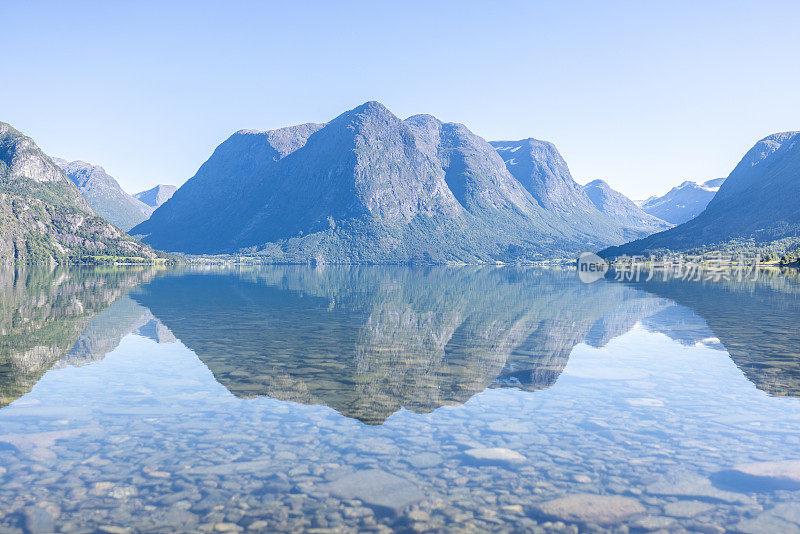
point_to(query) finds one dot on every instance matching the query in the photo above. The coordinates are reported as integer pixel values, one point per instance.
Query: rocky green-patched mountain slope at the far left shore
(43, 217)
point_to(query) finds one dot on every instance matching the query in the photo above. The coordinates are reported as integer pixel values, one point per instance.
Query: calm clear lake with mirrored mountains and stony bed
(381, 399)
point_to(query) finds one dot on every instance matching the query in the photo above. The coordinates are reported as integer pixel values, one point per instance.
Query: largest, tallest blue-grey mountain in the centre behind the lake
(367, 187)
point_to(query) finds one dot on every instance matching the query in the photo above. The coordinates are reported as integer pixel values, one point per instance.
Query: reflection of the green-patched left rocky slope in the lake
(48, 316)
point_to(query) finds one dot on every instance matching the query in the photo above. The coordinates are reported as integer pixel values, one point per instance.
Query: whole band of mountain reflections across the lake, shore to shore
(368, 341)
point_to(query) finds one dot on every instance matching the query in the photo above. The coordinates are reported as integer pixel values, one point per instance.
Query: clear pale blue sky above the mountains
(642, 94)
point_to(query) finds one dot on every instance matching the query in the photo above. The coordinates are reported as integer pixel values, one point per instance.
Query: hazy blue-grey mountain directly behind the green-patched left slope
(105, 195)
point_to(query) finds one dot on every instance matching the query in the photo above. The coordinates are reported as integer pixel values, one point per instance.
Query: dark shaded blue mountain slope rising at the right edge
(759, 201)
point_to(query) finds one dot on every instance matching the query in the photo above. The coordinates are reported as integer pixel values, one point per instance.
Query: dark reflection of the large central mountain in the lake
(368, 341)
